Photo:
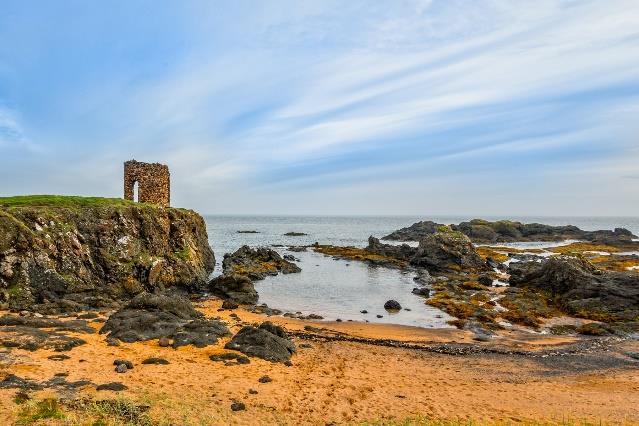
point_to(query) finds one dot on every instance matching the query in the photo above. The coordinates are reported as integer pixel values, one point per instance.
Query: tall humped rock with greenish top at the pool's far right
(447, 250)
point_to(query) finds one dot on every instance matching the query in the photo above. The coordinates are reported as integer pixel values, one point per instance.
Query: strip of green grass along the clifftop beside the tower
(65, 201)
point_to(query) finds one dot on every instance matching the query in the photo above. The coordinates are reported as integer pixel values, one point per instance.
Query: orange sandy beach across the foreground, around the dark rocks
(349, 382)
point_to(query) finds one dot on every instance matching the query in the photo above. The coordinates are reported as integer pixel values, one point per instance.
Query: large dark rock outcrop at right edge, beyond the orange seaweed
(580, 289)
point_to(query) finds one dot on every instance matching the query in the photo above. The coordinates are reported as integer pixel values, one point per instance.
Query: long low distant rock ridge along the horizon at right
(504, 231)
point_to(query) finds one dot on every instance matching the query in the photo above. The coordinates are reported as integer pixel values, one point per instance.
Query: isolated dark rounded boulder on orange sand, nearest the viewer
(267, 341)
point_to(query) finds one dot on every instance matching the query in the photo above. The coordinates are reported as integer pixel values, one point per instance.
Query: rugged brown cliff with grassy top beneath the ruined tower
(71, 253)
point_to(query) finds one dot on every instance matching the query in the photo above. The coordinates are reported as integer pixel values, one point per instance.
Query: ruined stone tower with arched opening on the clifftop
(153, 179)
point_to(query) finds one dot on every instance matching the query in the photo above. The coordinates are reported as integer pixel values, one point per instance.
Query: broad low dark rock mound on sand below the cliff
(152, 316)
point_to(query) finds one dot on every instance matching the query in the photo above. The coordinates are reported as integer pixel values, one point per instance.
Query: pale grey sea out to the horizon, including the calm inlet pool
(341, 289)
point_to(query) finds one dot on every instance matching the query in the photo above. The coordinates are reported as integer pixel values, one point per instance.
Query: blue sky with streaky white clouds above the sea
(405, 107)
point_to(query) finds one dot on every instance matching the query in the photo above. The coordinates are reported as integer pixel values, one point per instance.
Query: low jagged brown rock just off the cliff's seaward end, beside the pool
(256, 263)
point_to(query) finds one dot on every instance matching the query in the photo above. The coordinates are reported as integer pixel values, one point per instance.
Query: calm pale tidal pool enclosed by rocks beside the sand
(341, 289)
